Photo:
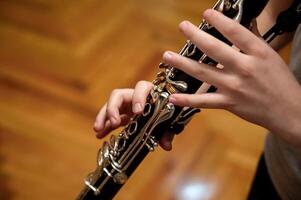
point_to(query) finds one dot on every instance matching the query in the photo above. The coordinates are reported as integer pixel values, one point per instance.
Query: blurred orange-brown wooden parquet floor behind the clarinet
(59, 61)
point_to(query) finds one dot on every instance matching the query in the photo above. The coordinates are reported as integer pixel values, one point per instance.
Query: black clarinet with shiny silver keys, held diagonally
(121, 155)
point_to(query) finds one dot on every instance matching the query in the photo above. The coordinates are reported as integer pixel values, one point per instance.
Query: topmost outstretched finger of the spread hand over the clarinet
(240, 36)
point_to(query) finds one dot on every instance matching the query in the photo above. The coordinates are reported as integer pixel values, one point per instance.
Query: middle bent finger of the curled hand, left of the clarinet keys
(116, 100)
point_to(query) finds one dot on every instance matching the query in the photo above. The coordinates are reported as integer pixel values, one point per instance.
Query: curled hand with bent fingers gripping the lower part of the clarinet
(121, 106)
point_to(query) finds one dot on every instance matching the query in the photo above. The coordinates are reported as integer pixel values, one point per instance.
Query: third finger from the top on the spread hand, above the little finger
(197, 70)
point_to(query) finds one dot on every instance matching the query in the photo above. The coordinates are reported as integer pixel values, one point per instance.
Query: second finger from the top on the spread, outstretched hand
(211, 46)
